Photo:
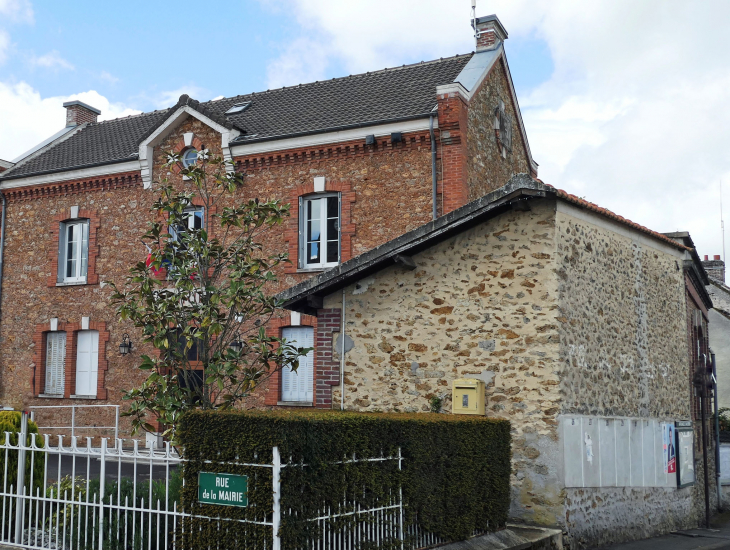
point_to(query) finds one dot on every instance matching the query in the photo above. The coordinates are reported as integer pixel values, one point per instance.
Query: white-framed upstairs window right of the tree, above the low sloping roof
(319, 231)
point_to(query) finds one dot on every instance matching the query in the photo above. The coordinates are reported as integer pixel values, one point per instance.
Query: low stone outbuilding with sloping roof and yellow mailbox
(573, 317)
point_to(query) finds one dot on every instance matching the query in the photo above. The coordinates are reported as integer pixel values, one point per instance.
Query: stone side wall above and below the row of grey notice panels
(623, 352)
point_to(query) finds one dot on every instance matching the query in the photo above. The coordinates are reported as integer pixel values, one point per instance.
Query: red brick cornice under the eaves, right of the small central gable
(412, 141)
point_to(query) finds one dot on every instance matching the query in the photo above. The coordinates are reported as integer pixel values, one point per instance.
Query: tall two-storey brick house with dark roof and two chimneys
(78, 203)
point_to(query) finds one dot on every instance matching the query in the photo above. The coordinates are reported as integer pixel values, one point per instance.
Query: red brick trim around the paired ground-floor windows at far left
(38, 380)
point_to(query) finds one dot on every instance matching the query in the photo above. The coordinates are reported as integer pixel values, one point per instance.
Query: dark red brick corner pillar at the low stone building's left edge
(327, 368)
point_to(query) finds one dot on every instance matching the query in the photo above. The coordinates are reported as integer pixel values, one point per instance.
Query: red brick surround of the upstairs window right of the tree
(347, 232)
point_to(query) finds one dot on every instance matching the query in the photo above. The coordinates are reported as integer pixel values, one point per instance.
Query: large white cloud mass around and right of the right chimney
(634, 116)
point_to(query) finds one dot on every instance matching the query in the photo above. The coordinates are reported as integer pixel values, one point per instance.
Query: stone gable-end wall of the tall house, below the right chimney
(486, 169)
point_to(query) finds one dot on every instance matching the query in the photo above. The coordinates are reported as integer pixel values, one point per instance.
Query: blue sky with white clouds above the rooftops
(625, 103)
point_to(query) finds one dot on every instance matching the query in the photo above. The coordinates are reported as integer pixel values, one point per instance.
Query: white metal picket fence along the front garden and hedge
(75, 496)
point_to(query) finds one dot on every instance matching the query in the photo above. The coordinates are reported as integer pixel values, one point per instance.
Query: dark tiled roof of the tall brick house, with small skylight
(389, 95)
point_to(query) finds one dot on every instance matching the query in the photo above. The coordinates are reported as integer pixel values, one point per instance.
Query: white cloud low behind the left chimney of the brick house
(28, 119)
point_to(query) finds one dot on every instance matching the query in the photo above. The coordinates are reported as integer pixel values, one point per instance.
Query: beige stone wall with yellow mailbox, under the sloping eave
(482, 304)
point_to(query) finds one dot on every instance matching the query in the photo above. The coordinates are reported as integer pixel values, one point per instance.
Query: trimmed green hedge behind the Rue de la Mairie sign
(455, 477)
